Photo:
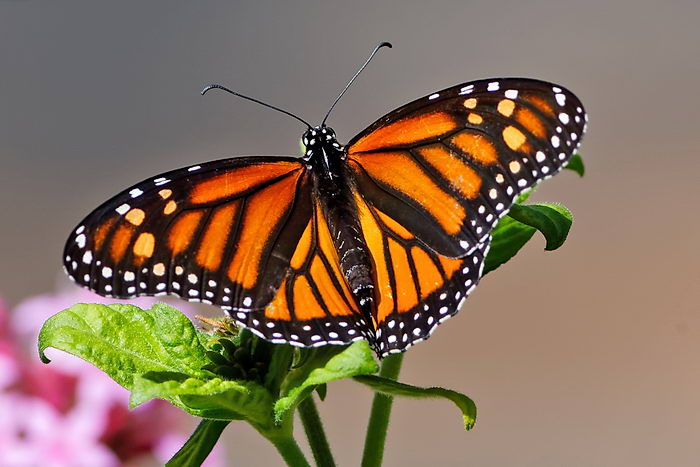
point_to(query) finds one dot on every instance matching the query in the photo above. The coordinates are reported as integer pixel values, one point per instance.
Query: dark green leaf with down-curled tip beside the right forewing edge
(553, 220)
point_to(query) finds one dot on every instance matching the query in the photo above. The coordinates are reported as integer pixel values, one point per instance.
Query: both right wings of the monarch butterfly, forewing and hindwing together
(434, 177)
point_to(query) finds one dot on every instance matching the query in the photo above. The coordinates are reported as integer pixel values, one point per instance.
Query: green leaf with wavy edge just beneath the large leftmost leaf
(214, 398)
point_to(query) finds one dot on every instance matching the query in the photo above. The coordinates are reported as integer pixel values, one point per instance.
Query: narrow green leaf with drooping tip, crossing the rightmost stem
(394, 388)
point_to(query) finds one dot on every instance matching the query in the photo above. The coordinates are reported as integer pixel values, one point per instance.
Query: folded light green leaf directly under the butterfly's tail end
(326, 364)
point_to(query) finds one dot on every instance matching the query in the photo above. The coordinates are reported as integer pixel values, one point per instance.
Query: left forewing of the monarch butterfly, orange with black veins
(222, 233)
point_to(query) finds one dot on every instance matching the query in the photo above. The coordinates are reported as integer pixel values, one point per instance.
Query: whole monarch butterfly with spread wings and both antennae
(381, 239)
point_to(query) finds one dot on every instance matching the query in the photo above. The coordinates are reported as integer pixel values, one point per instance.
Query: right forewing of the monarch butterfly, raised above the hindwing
(450, 165)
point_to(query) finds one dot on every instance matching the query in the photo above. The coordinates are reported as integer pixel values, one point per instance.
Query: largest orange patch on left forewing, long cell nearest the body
(263, 212)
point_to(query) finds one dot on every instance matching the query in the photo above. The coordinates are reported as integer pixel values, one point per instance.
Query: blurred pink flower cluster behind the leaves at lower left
(69, 413)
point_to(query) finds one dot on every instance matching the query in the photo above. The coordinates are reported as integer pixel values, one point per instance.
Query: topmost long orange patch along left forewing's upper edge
(239, 180)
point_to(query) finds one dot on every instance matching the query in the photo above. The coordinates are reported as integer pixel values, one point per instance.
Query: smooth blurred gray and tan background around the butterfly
(585, 356)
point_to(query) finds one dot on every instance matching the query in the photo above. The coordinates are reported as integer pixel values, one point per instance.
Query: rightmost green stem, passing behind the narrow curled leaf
(379, 417)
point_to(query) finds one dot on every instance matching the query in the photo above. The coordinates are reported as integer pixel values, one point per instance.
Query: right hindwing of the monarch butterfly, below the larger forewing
(416, 288)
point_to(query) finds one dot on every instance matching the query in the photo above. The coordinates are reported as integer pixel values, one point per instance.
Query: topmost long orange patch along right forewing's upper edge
(406, 131)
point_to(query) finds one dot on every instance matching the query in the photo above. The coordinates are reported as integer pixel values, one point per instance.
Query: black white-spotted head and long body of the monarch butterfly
(325, 158)
